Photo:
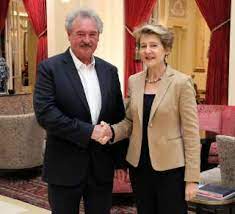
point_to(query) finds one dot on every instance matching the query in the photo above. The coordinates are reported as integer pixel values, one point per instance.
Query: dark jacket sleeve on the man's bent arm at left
(50, 117)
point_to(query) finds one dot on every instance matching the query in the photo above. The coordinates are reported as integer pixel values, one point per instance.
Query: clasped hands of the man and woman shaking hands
(102, 133)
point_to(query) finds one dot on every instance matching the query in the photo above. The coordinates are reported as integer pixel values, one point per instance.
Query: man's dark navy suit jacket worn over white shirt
(62, 110)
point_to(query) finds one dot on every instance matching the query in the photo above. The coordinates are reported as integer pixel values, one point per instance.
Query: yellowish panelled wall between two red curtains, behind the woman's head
(189, 53)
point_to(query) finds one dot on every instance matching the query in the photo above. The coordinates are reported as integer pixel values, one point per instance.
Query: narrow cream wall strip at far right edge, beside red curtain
(231, 93)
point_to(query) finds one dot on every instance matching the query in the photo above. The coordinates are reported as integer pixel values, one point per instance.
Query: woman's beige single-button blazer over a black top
(173, 132)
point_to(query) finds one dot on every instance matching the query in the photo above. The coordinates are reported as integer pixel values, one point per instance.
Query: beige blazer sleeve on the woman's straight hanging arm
(190, 131)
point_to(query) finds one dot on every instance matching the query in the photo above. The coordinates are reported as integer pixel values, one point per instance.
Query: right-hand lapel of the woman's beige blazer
(161, 91)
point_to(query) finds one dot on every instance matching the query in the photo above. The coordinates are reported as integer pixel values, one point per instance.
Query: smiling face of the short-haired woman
(152, 52)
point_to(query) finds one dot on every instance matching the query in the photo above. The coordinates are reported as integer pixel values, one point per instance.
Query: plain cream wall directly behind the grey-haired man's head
(111, 44)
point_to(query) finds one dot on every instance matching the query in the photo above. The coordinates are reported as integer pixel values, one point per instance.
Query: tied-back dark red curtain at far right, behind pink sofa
(217, 16)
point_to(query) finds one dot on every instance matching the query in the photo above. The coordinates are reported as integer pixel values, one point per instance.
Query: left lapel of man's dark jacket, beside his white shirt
(72, 74)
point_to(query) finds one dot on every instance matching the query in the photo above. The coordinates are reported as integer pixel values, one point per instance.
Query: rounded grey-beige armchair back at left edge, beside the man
(21, 142)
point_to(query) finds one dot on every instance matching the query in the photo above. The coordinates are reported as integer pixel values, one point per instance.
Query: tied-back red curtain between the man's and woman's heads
(136, 13)
